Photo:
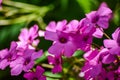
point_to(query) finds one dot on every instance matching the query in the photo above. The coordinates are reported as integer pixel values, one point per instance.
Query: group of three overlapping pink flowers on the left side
(22, 54)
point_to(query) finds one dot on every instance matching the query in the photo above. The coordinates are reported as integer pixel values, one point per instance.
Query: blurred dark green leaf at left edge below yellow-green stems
(9, 33)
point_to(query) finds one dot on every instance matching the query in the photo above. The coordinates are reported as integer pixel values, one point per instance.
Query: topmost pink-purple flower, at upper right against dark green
(100, 17)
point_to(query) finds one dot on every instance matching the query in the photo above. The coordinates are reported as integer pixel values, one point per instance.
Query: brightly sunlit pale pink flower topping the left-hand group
(28, 37)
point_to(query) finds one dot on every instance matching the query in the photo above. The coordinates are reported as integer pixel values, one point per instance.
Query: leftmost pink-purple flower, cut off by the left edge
(7, 56)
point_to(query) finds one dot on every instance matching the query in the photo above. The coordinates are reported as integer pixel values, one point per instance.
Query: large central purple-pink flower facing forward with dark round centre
(64, 43)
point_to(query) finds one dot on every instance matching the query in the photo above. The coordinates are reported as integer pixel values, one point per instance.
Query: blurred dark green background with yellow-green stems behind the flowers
(17, 14)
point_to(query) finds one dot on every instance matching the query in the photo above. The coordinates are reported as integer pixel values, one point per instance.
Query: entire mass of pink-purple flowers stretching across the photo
(100, 63)
